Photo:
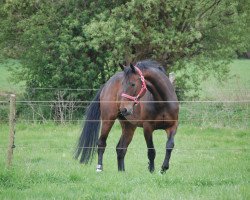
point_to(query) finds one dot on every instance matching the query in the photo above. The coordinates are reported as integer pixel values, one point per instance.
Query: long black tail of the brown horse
(88, 139)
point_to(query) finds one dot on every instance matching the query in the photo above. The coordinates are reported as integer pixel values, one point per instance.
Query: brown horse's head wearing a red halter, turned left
(134, 87)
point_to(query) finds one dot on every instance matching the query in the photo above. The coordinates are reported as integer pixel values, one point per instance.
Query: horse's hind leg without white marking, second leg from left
(121, 148)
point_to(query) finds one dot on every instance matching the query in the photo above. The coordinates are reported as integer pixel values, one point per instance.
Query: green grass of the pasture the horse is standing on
(207, 163)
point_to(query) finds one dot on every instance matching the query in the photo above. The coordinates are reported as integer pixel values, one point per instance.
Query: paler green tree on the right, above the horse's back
(194, 38)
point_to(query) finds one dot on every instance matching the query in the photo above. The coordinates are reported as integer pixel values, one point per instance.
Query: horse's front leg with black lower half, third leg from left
(150, 145)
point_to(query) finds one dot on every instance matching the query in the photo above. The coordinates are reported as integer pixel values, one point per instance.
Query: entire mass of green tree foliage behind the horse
(78, 44)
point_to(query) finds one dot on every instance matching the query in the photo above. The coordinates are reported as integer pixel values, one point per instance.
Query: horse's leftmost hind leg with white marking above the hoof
(106, 126)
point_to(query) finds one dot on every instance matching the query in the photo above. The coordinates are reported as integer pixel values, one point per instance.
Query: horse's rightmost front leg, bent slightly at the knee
(169, 147)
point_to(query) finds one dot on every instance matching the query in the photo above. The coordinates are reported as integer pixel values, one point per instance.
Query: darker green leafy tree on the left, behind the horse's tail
(52, 45)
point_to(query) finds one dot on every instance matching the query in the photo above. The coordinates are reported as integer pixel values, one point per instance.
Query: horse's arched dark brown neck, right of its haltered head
(160, 86)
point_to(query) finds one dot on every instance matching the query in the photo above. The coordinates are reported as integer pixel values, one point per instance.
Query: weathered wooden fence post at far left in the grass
(12, 118)
